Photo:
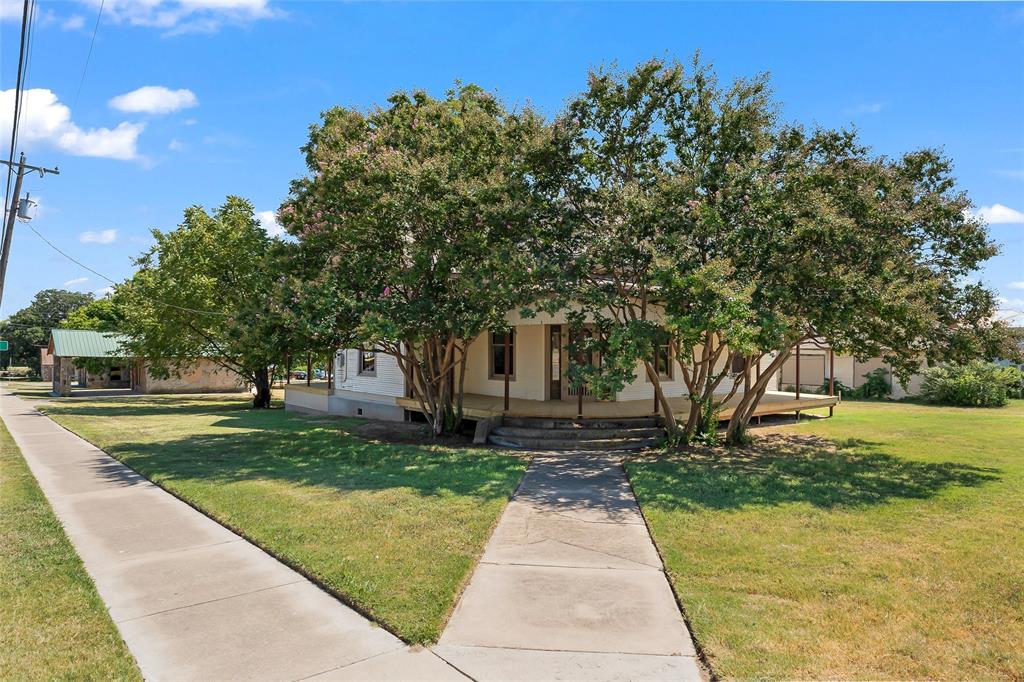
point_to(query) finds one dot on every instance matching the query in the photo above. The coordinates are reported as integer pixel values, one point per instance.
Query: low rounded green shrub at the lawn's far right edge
(975, 385)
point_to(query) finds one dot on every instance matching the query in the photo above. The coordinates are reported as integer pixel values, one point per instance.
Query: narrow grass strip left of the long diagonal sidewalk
(53, 623)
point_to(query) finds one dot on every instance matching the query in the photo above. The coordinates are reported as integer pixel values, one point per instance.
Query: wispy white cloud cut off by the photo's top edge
(177, 17)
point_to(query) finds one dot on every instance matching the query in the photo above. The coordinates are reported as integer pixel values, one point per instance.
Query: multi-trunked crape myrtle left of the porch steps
(422, 219)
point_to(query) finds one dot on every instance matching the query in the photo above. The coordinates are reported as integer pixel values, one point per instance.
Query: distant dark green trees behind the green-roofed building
(29, 329)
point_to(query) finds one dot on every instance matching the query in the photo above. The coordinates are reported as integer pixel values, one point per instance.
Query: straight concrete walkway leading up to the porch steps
(571, 586)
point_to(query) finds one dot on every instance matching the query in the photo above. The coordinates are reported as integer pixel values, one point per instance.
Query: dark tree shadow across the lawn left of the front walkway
(272, 445)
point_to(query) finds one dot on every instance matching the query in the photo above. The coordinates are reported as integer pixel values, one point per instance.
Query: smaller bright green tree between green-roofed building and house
(210, 289)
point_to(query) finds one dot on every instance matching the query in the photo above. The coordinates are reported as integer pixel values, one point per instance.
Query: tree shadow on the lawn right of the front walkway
(780, 471)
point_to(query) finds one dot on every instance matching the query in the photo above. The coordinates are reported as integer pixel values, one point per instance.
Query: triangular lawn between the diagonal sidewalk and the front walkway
(396, 530)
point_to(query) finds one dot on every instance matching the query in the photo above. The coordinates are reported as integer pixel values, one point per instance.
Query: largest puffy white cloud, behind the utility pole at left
(46, 120)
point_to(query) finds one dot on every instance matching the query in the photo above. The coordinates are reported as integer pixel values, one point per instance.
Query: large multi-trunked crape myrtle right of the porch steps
(701, 226)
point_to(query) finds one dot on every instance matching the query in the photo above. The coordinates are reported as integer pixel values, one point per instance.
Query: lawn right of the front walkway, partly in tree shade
(886, 543)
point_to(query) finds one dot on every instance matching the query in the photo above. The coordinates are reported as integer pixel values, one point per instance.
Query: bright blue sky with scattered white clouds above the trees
(233, 87)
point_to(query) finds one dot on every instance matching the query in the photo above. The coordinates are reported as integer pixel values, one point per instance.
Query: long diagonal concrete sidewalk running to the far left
(193, 601)
